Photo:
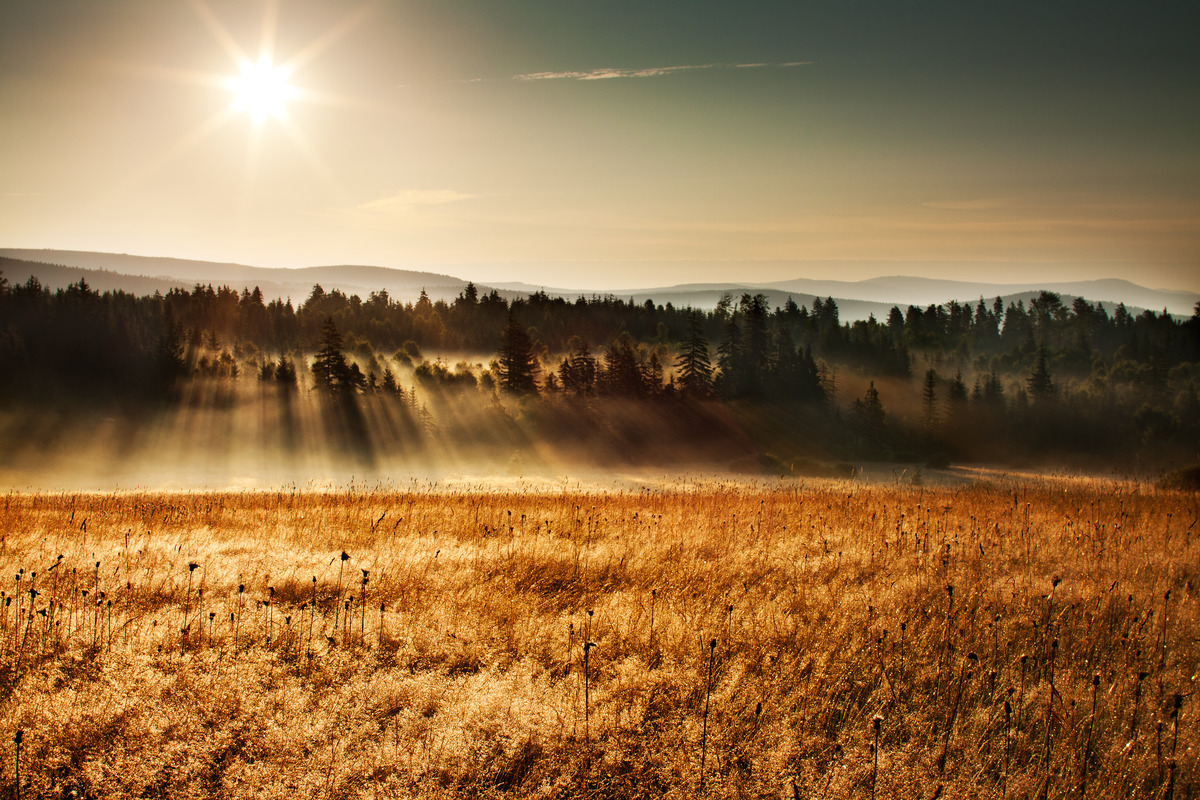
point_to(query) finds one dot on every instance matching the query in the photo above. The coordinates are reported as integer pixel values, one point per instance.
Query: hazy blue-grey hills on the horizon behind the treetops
(856, 299)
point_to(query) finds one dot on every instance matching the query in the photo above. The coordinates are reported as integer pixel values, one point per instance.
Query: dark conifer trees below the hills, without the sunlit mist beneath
(969, 381)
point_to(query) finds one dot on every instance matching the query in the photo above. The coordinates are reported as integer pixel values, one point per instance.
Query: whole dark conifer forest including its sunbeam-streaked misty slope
(610, 382)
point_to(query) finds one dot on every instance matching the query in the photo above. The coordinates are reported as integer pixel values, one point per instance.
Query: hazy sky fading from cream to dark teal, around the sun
(645, 142)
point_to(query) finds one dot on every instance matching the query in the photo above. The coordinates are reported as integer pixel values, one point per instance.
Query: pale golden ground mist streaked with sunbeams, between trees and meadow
(241, 432)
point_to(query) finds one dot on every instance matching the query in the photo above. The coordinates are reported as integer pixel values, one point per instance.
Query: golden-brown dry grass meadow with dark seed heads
(830, 641)
